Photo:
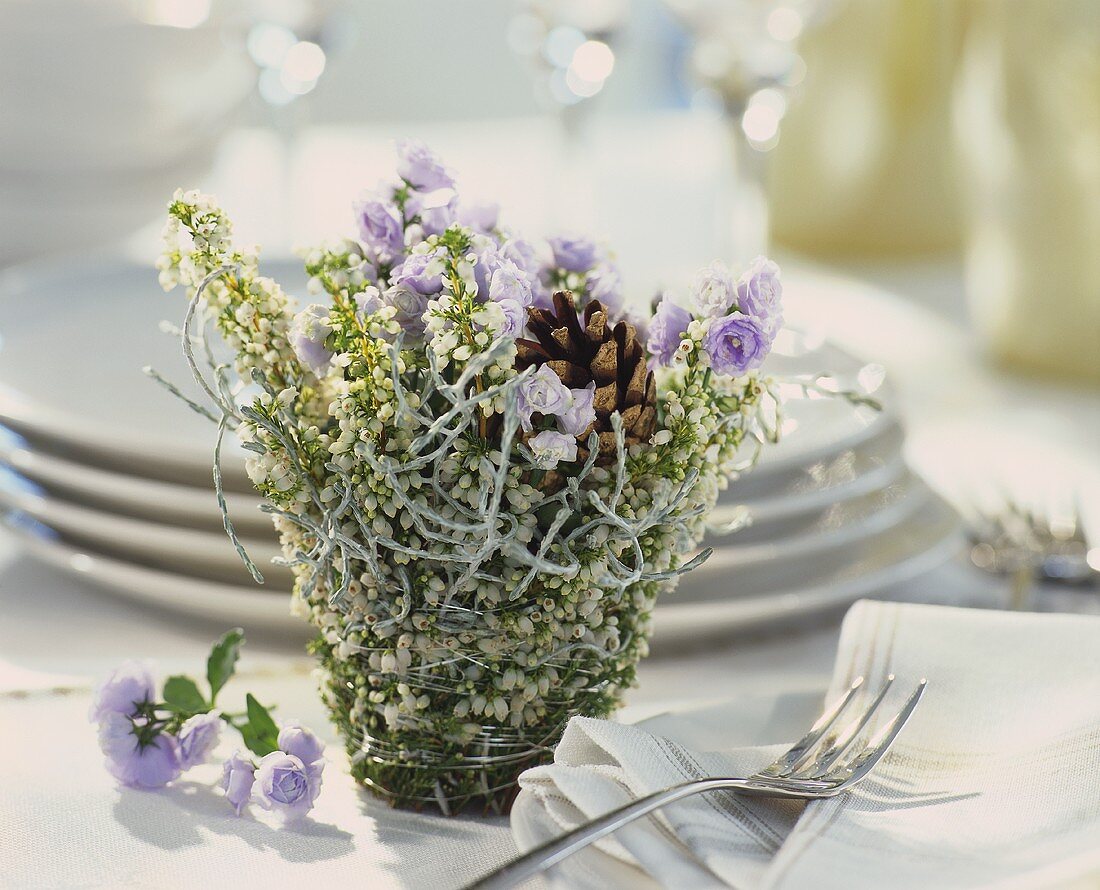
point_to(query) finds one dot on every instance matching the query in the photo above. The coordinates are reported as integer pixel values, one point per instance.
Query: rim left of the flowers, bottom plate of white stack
(227, 605)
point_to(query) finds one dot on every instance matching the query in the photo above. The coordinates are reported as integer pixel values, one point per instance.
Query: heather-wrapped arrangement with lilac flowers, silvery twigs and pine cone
(483, 468)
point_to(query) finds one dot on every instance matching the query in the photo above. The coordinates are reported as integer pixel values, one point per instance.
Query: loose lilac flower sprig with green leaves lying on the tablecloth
(150, 741)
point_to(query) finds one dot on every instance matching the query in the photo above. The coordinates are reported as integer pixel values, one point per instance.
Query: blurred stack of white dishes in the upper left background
(107, 107)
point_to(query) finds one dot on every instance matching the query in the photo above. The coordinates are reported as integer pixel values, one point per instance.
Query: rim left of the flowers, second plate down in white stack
(141, 499)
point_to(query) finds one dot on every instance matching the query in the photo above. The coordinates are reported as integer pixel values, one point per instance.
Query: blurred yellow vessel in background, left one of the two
(866, 164)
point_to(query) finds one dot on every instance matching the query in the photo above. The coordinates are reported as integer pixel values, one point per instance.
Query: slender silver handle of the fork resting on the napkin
(552, 853)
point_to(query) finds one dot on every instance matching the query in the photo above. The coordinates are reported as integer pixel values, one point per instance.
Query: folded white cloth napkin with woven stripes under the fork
(995, 783)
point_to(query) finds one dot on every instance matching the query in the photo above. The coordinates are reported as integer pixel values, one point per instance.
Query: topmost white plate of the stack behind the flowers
(101, 409)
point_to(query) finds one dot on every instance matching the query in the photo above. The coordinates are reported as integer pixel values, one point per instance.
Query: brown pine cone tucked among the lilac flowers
(587, 349)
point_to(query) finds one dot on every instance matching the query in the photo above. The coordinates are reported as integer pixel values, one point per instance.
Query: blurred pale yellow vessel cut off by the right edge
(1028, 124)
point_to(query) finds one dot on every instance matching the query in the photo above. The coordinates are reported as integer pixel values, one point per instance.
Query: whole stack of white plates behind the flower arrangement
(108, 477)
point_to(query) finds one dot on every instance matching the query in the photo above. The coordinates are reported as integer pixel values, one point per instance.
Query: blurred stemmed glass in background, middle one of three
(568, 45)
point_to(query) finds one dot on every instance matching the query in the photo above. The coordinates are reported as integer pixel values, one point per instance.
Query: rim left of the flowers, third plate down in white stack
(203, 554)
